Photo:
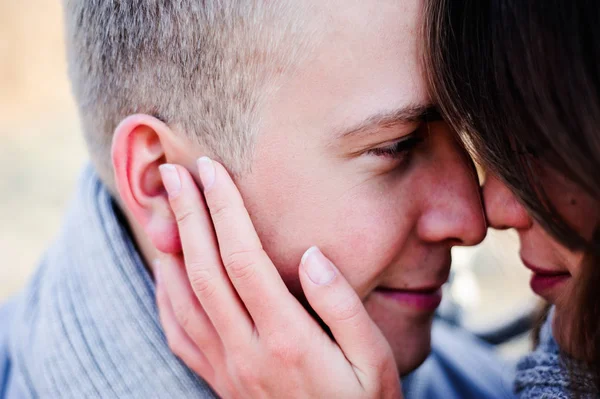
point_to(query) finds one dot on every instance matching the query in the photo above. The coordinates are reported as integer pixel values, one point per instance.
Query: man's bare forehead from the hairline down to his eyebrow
(358, 77)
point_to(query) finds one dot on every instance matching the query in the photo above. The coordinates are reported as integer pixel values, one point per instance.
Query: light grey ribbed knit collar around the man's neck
(87, 326)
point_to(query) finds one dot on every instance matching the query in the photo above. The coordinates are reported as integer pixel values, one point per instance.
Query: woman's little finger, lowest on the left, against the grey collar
(179, 342)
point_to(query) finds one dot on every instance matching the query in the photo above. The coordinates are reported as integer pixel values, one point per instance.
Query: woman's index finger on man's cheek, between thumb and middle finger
(251, 271)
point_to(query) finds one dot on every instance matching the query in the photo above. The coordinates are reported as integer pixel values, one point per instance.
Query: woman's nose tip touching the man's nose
(502, 209)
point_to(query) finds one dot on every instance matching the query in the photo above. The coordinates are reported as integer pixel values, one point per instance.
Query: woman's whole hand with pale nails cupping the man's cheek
(229, 316)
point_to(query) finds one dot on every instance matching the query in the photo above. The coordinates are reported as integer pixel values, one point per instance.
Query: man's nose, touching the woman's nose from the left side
(455, 212)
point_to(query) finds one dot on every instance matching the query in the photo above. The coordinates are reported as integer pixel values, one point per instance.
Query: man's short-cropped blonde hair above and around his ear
(201, 66)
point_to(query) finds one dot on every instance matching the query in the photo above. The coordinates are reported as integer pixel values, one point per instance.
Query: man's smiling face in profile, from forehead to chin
(344, 162)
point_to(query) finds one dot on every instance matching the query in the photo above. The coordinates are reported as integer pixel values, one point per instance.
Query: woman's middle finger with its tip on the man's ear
(208, 279)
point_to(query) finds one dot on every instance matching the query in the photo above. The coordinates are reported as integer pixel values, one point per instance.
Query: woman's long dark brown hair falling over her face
(521, 80)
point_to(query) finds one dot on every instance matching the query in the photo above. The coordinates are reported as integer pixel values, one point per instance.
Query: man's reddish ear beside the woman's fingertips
(138, 149)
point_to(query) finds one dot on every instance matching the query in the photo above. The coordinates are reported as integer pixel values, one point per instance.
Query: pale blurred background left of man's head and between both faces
(41, 152)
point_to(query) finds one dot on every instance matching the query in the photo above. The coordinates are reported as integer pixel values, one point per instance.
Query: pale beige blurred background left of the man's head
(41, 149)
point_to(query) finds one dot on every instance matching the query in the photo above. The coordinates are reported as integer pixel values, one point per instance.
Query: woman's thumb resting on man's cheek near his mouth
(338, 305)
